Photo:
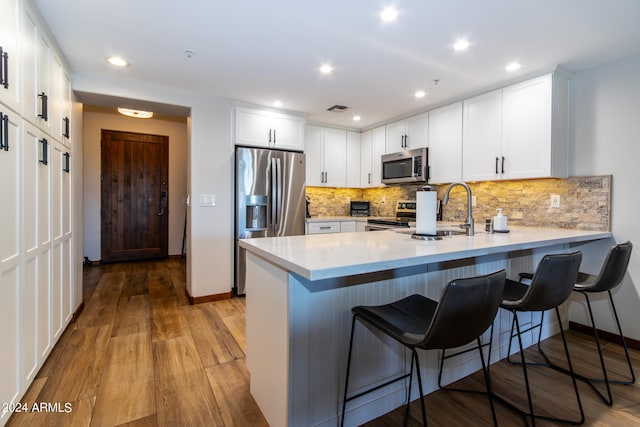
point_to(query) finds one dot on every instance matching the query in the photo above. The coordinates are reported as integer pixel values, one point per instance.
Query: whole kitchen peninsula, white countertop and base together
(300, 290)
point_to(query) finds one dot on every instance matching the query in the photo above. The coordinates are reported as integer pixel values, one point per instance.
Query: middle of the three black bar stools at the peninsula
(550, 286)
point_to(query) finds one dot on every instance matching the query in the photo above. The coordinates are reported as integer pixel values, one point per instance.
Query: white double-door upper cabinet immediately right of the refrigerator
(326, 156)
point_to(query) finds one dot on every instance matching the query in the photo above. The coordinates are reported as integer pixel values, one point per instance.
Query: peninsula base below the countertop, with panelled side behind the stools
(298, 334)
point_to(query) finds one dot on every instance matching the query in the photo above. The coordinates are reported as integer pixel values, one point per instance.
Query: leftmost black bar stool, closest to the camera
(466, 309)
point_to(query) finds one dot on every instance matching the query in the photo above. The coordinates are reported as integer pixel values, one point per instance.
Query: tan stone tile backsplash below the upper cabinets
(585, 202)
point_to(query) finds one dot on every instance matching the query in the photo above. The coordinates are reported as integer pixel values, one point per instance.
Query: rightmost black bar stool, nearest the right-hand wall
(610, 276)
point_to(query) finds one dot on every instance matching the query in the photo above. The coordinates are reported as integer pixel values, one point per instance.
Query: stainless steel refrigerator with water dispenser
(269, 199)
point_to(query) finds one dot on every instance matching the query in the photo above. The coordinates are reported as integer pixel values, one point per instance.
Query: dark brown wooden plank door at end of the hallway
(134, 211)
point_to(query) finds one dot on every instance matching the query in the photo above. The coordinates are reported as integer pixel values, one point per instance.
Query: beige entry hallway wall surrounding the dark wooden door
(94, 122)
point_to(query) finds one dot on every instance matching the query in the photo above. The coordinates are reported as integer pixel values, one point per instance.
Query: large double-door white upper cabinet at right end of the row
(518, 132)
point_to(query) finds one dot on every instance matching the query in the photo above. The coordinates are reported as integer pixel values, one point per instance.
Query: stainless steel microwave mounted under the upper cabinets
(406, 167)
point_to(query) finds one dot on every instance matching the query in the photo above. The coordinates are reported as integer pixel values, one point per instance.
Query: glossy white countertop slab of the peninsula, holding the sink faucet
(324, 256)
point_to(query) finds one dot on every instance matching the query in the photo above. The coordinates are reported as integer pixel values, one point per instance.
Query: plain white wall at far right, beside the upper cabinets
(605, 139)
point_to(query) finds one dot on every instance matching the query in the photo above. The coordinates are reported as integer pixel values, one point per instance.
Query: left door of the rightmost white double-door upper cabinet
(481, 136)
